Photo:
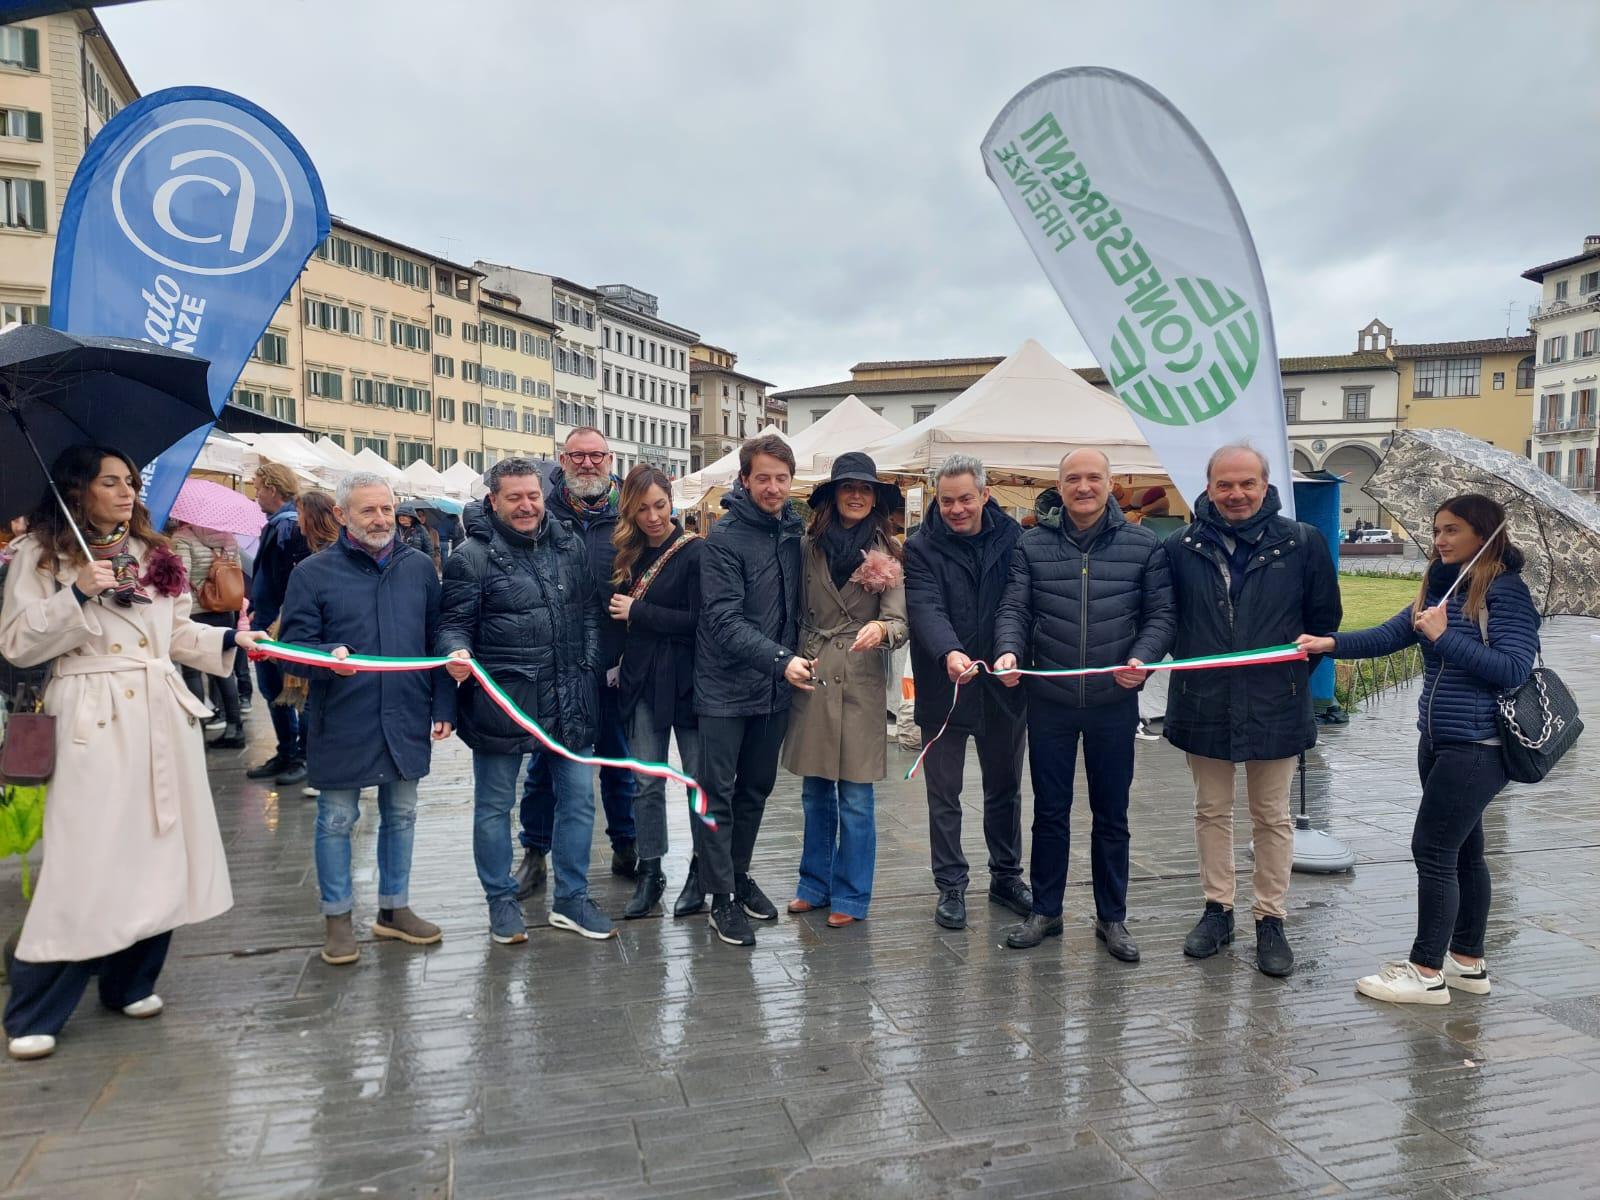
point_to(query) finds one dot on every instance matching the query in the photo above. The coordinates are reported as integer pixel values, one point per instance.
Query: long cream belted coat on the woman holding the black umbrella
(132, 846)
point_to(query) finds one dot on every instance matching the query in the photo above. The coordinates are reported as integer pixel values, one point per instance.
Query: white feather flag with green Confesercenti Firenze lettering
(1143, 239)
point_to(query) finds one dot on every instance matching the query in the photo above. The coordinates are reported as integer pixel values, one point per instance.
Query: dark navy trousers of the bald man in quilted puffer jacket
(1054, 732)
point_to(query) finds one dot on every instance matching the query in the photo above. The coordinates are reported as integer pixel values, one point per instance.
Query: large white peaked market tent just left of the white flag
(1020, 420)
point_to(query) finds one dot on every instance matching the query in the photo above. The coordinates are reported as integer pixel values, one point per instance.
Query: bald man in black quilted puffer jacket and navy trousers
(1087, 590)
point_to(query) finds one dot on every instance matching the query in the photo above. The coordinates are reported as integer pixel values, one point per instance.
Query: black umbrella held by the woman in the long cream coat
(63, 391)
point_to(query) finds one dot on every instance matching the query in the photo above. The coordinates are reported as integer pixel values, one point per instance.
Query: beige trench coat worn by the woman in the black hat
(839, 730)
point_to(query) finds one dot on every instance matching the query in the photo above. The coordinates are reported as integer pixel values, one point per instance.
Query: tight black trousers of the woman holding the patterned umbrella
(1447, 844)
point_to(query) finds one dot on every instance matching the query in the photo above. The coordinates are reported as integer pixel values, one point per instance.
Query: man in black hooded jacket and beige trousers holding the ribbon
(1246, 578)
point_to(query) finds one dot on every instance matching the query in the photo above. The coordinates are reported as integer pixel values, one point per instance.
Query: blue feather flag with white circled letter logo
(186, 225)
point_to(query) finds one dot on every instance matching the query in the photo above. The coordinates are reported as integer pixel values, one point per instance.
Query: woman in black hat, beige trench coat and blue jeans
(855, 609)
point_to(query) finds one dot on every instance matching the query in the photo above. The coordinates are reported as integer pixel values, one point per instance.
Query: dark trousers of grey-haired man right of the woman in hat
(1001, 766)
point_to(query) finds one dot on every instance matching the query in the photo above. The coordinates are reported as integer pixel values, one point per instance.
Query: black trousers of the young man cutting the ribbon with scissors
(738, 769)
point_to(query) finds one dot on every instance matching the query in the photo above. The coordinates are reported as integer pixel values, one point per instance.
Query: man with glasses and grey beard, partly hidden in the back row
(582, 494)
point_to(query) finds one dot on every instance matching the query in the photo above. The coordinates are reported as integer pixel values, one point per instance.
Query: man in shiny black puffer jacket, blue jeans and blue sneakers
(519, 598)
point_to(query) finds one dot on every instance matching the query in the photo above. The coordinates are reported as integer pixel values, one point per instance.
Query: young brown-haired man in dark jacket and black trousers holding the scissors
(745, 673)
